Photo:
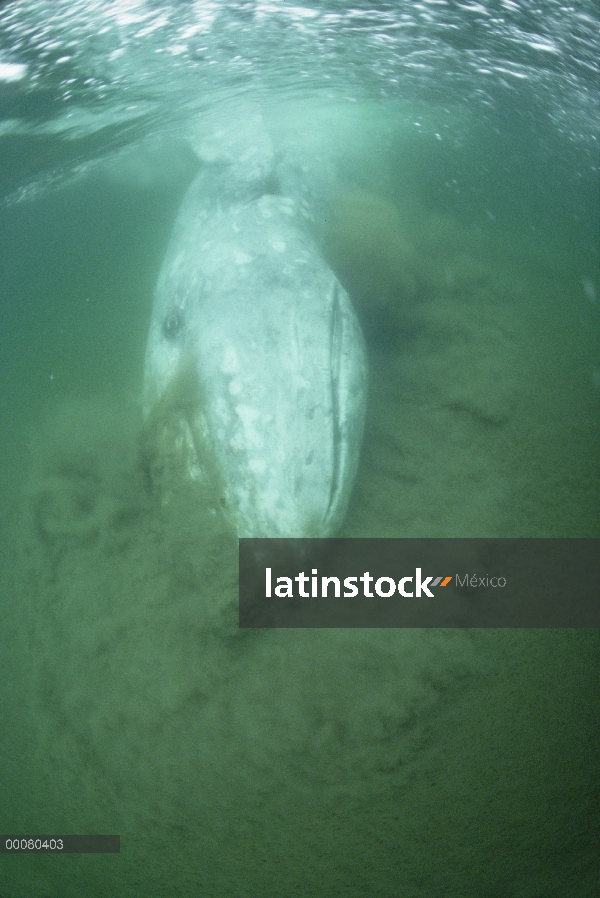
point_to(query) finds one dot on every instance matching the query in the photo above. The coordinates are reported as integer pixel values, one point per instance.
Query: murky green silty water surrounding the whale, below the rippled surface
(400, 764)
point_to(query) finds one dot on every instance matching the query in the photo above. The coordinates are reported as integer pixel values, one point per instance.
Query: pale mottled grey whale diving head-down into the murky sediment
(246, 298)
